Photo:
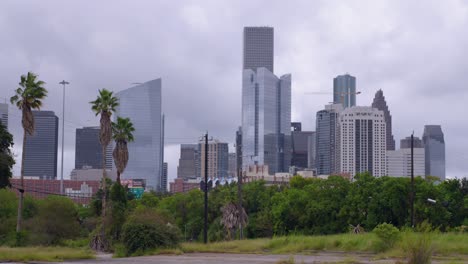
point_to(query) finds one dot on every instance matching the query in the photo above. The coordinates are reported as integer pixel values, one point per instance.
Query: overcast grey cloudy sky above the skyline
(414, 50)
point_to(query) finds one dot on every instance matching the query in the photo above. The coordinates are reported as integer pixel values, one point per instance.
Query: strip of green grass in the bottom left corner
(54, 254)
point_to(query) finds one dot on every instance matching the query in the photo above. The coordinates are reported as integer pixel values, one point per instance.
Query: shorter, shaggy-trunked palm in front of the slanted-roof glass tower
(122, 134)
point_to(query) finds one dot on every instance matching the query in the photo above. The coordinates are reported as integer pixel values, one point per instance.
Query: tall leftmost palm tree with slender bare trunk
(28, 96)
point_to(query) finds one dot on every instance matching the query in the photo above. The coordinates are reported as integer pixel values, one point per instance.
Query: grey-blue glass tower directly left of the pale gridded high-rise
(326, 140)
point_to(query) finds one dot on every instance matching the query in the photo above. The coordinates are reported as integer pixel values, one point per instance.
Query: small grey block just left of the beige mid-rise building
(189, 161)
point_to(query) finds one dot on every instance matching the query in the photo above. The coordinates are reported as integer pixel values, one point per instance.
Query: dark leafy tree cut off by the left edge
(6, 157)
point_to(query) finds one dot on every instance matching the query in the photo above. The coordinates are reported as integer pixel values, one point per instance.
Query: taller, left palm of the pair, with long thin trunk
(104, 105)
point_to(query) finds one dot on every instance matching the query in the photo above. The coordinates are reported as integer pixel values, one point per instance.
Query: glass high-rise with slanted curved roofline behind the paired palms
(142, 104)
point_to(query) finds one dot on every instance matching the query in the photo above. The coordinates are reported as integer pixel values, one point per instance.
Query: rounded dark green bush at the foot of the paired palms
(145, 230)
